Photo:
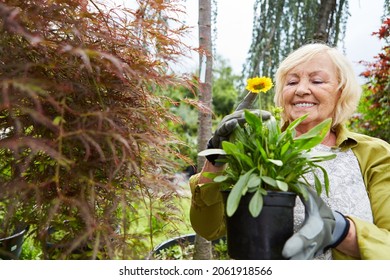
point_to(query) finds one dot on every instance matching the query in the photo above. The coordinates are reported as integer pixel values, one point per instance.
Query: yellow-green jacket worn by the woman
(373, 154)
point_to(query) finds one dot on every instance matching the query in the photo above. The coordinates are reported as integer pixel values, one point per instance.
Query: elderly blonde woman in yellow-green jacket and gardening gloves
(319, 81)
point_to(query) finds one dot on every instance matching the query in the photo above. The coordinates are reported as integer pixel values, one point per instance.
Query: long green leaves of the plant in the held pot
(261, 157)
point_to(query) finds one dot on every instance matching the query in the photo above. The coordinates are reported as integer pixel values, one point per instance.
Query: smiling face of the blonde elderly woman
(311, 88)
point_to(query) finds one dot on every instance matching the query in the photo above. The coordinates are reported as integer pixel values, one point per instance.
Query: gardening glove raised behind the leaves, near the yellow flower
(229, 123)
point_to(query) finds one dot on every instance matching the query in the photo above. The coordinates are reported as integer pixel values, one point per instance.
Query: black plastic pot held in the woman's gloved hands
(263, 237)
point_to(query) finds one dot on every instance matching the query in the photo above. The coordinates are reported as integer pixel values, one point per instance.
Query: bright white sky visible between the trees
(234, 31)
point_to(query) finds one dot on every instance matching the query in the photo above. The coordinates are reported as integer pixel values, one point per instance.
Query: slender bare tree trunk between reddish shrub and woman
(202, 246)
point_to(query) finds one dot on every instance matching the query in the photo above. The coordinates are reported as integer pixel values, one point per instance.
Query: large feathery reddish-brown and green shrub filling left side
(84, 146)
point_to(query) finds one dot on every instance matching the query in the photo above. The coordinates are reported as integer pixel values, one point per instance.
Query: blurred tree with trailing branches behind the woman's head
(281, 26)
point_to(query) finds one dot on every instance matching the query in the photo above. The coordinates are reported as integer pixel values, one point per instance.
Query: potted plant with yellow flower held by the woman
(266, 165)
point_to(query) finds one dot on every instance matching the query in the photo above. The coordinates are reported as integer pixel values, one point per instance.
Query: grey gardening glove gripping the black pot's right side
(323, 228)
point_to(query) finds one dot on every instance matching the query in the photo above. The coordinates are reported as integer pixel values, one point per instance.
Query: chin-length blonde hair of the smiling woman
(348, 84)
